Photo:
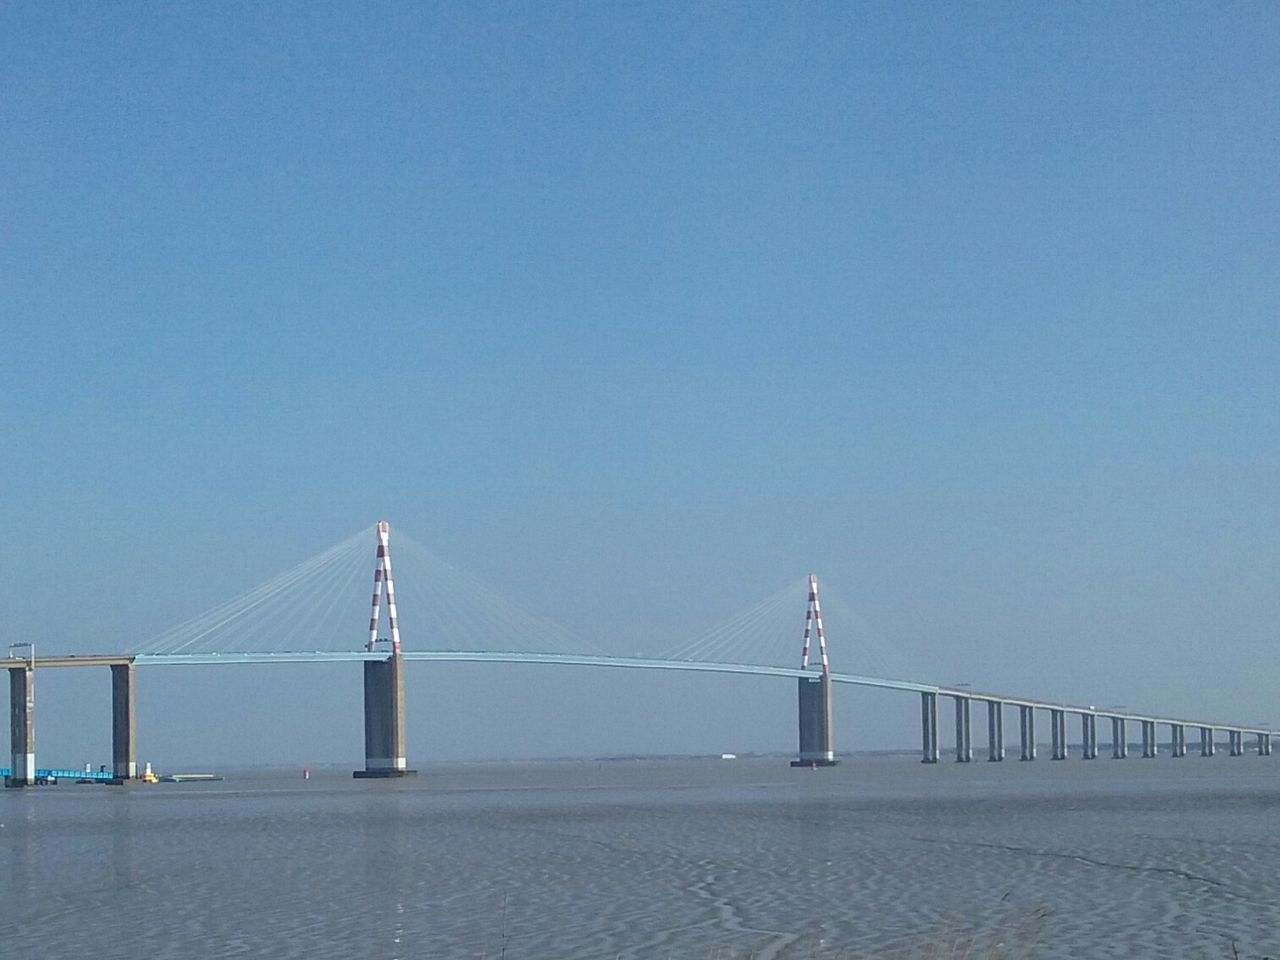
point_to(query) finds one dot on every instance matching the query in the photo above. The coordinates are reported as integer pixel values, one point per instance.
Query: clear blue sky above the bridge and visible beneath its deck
(641, 312)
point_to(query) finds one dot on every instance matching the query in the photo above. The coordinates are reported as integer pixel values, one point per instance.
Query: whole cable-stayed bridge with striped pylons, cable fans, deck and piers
(307, 616)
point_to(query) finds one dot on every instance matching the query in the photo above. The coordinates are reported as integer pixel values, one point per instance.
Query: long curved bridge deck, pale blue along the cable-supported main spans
(149, 660)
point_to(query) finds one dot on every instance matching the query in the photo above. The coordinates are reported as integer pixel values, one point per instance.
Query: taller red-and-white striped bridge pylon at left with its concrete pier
(385, 682)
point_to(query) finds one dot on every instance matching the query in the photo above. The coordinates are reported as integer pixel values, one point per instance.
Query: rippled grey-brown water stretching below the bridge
(689, 861)
